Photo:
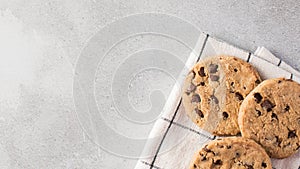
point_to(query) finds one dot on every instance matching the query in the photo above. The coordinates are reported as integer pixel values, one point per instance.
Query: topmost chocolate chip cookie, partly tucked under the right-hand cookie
(214, 90)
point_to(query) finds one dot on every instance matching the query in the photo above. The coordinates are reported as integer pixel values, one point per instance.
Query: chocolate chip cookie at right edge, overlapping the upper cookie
(270, 115)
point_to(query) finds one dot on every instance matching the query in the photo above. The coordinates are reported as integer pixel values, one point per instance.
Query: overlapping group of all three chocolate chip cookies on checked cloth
(225, 96)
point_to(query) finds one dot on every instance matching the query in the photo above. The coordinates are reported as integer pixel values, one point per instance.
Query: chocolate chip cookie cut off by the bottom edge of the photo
(231, 153)
